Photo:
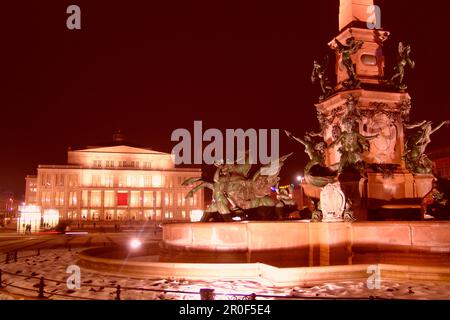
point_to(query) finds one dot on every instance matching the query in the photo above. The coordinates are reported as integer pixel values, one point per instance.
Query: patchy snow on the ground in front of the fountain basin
(53, 264)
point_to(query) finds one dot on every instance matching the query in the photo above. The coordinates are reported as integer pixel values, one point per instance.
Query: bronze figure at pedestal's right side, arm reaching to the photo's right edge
(416, 144)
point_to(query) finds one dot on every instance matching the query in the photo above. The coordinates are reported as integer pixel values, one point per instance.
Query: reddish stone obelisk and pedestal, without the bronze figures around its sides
(365, 102)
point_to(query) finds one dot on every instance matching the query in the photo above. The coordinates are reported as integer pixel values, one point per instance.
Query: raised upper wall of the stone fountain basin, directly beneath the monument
(313, 244)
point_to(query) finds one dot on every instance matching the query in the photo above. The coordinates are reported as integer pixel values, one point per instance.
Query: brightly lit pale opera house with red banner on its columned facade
(115, 182)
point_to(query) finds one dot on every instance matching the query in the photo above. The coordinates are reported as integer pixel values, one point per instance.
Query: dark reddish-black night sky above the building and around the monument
(149, 67)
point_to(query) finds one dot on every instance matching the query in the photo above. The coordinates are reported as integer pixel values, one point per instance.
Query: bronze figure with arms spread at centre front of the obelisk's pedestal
(353, 144)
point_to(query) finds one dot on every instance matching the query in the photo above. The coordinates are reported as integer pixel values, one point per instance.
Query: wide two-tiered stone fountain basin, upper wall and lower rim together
(285, 253)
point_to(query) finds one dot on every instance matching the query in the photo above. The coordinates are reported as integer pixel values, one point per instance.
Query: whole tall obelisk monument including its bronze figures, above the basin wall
(363, 149)
